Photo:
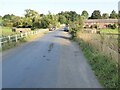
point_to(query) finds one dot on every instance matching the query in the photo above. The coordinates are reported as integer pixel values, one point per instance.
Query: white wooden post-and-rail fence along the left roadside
(16, 37)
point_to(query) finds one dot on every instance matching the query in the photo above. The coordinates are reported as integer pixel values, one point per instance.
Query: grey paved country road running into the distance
(52, 61)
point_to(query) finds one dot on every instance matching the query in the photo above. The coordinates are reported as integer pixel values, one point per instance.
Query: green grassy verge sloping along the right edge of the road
(104, 67)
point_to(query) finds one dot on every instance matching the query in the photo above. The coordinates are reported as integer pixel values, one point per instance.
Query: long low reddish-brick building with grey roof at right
(102, 23)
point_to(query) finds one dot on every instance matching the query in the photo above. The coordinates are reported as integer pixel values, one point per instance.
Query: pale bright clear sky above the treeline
(17, 7)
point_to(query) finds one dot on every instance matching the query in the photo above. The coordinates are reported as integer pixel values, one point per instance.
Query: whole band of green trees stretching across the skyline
(32, 19)
